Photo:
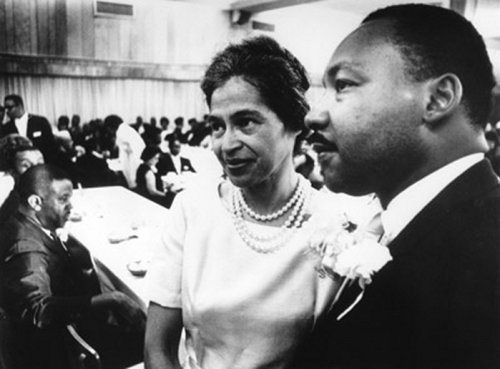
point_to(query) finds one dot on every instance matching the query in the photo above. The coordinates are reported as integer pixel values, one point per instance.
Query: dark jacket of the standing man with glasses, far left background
(39, 132)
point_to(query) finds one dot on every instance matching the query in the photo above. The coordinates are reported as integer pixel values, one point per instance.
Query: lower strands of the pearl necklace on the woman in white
(276, 240)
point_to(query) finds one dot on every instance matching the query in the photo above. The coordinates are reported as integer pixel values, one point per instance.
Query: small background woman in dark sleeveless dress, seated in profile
(146, 178)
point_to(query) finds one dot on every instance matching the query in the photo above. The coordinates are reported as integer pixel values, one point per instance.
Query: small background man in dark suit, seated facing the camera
(173, 163)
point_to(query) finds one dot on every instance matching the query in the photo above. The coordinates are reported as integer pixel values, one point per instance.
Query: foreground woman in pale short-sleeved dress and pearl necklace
(234, 270)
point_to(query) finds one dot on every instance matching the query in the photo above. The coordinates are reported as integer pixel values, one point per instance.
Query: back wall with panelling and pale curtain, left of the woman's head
(147, 65)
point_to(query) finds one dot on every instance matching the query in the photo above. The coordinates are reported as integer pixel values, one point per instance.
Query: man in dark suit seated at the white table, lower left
(47, 283)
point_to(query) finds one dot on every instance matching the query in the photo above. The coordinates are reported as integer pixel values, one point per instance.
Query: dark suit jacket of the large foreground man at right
(437, 304)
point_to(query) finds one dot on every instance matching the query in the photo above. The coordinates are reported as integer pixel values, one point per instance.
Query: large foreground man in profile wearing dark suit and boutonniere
(407, 96)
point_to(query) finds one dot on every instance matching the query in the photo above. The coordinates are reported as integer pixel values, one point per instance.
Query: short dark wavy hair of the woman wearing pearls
(278, 76)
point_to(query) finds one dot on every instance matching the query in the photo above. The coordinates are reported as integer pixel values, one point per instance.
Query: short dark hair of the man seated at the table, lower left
(38, 179)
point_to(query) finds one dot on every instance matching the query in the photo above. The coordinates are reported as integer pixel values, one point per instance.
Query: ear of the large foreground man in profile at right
(444, 96)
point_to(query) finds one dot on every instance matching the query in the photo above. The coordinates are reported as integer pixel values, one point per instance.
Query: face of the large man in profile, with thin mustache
(370, 117)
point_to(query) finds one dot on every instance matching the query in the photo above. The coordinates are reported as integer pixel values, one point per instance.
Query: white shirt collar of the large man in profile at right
(406, 205)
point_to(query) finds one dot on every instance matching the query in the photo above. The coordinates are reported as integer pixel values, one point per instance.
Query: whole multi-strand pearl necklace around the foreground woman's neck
(273, 242)
